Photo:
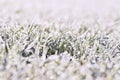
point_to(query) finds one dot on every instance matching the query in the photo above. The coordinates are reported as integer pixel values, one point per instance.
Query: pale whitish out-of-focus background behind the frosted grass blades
(104, 12)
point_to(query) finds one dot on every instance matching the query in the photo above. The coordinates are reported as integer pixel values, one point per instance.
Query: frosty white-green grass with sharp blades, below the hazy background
(52, 55)
